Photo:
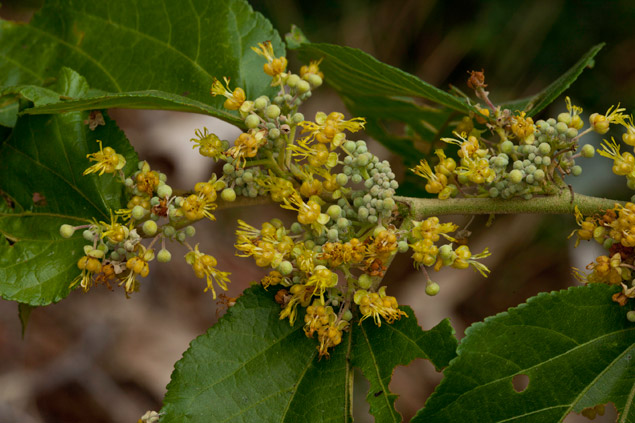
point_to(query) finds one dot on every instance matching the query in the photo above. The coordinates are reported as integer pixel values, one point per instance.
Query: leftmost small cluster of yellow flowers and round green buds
(115, 253)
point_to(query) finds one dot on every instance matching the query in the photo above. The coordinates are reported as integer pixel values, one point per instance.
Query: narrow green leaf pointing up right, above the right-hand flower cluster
(545, 97)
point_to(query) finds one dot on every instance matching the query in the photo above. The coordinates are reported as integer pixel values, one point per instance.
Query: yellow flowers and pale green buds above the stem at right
(526, 158)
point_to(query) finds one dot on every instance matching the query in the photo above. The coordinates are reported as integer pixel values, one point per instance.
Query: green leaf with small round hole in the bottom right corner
(576, 347)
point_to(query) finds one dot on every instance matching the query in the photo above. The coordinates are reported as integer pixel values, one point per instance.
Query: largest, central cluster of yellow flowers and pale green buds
(330, 262)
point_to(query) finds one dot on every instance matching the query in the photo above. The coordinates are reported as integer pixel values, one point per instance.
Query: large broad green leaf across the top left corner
(141, 53)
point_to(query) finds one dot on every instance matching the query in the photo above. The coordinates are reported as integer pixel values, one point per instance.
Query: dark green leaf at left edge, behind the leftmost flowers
(42, 187)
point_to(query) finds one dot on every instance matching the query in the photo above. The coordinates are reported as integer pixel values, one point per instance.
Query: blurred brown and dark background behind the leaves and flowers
(92, 351)
